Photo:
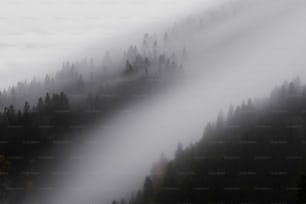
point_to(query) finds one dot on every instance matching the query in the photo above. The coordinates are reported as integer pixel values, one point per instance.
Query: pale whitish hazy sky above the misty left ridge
(37, 35)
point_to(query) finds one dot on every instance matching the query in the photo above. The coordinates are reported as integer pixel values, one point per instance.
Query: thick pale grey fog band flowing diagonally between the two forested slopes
(243, 57)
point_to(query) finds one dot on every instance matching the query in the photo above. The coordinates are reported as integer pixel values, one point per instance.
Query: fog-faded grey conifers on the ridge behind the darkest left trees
(79, 79)
